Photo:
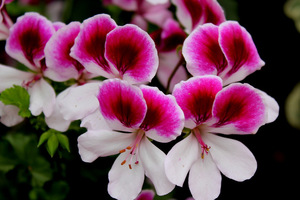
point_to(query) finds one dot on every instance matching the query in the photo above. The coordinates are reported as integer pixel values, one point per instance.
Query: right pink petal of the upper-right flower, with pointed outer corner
(239, 50)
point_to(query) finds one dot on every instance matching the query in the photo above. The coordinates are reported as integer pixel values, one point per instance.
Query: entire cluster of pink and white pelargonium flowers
(200, 58)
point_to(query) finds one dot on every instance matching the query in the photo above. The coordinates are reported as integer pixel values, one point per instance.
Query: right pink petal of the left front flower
(164, 119)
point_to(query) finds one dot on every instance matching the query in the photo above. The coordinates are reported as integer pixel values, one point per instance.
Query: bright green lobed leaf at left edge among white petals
(17, 96)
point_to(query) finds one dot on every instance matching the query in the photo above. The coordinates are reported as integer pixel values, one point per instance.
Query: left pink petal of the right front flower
(195, 97)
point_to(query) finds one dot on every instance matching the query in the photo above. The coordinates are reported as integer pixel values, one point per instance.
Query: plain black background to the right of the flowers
(276, 145)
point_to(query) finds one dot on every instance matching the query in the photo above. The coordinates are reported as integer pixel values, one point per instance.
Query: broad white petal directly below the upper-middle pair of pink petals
(80, 101)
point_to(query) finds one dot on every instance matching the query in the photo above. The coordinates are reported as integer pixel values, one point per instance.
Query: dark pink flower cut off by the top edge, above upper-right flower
(192, 13)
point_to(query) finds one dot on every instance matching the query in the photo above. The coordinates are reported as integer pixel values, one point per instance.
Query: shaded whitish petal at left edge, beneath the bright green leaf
(9, 115)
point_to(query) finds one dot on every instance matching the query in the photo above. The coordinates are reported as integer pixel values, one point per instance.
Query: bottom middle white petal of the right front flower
(205, 179)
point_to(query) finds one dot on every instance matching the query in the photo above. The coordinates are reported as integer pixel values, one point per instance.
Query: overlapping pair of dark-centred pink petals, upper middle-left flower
(112, 51)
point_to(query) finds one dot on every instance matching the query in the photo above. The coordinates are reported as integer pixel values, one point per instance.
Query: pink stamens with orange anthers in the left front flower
(133, 149)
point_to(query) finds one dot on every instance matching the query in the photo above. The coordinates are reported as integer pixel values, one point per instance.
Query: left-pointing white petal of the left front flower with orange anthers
(101, 143)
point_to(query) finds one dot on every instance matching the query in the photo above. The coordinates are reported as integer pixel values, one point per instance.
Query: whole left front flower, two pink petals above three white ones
(133, 114)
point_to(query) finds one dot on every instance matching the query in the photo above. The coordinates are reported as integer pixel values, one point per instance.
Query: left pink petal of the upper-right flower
(202, 52)
